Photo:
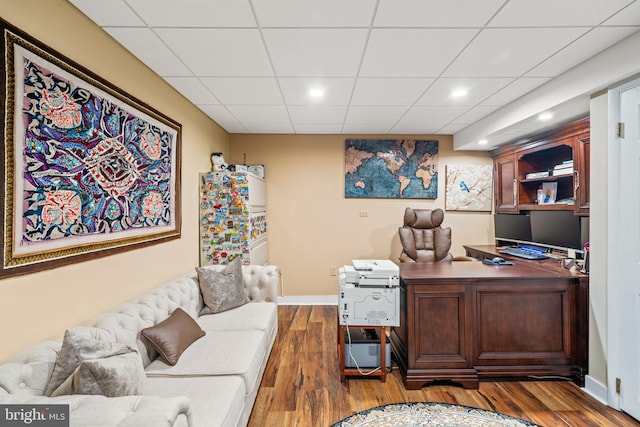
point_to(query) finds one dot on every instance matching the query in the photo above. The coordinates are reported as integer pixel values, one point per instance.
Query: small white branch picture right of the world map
(469, 188)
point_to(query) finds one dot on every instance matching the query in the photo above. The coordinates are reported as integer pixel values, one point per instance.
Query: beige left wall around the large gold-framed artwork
(42, 305)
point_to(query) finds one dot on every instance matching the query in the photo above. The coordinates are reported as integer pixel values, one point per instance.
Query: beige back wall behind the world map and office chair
(313, 227)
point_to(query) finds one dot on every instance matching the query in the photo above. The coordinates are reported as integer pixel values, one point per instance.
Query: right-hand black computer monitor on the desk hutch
(559, 229)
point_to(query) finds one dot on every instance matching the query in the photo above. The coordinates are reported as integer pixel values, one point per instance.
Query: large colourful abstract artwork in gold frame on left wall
(87, 170)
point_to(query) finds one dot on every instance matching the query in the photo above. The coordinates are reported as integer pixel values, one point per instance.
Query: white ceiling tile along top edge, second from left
(193, 13)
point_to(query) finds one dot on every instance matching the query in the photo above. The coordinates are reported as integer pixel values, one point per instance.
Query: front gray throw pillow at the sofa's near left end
(112, 376)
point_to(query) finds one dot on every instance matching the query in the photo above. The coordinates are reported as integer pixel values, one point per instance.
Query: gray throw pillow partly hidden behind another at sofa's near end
(78, 346)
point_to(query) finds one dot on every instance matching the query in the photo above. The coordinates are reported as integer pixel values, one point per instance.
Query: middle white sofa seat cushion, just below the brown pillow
(219, 353)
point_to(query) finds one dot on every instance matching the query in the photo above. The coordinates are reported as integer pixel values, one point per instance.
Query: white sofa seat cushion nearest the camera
(215, 401)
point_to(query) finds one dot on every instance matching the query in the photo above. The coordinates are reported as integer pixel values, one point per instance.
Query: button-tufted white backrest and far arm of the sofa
(28, 373)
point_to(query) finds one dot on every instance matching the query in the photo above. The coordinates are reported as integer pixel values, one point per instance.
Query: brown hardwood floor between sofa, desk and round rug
(301, 385)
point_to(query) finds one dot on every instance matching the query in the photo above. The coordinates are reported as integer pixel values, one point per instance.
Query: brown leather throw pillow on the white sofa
(172, 336)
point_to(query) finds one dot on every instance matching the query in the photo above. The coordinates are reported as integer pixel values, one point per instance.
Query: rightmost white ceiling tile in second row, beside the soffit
(585, 47)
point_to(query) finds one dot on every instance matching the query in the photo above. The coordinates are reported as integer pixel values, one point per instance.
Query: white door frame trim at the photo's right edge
(614, 234)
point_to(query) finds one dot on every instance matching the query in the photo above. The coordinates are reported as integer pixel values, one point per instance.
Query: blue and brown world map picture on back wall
(396, 169)
